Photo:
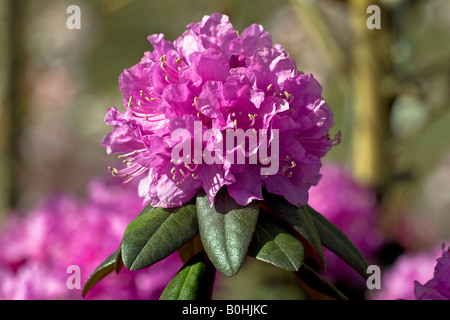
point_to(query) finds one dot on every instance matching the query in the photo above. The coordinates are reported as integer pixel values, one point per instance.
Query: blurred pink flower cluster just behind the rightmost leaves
(353, 209)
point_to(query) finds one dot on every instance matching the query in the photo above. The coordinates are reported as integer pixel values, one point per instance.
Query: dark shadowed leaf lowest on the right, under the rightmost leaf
(322, 289)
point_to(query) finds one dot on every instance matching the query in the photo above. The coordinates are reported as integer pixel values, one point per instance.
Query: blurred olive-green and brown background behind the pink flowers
(388, 89)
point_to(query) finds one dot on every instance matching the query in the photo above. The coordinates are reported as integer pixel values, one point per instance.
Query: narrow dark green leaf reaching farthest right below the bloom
(335, 240)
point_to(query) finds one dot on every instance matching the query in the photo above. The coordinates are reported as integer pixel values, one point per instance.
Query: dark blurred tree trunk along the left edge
(13, 98)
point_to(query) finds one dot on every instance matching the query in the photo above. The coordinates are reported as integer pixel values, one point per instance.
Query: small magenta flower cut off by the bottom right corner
(438, 288)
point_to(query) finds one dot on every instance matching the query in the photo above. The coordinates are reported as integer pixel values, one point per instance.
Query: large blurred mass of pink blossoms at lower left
(38, 248)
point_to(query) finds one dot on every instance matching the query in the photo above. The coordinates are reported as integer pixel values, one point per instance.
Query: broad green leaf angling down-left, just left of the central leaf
(157, 233)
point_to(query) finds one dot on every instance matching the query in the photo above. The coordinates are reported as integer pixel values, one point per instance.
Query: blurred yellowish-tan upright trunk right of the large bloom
(370, 124)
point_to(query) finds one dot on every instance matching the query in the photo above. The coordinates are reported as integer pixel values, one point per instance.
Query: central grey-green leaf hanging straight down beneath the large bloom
(226, 230)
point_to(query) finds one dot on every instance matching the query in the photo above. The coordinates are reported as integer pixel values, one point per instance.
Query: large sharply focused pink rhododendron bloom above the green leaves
(212, 76)
